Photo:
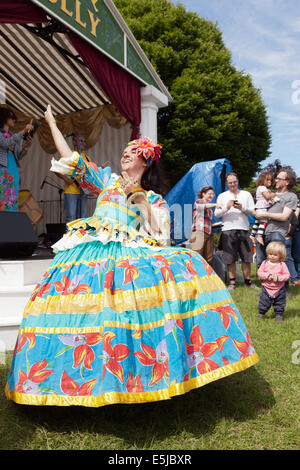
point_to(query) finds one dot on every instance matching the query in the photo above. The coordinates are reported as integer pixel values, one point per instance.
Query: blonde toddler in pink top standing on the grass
(274, 273)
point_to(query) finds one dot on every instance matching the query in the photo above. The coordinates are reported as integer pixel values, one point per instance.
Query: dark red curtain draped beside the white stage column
(122, 89)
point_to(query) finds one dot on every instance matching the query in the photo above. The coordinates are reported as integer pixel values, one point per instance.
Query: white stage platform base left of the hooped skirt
(18, 278)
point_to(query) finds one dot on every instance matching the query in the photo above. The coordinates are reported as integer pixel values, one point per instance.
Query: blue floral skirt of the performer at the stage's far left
(9, 185)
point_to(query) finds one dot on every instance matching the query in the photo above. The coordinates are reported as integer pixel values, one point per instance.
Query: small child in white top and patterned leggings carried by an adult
(264, 199)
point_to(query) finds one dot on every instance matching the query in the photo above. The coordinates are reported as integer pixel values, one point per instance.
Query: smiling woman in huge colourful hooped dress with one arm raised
(120, 317)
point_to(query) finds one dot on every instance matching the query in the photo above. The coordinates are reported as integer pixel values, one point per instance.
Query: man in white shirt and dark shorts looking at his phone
(237, 205)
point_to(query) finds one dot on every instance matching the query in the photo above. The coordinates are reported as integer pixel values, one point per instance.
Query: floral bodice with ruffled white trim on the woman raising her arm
(113, 219)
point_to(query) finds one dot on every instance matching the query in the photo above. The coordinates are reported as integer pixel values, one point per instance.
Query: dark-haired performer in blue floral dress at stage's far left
(10, 153)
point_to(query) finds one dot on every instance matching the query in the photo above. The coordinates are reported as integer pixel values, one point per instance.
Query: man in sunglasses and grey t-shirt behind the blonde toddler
(279, 219)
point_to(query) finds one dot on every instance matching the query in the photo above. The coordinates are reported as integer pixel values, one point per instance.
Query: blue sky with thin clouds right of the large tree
(264, 39)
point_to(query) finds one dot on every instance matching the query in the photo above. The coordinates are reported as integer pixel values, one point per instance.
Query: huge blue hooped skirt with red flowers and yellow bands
(113, 324)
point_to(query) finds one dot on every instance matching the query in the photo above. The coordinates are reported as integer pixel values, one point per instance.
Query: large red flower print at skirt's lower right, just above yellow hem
(199, 352)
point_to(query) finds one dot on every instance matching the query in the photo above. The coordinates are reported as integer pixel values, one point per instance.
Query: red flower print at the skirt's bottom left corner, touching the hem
(37, 374)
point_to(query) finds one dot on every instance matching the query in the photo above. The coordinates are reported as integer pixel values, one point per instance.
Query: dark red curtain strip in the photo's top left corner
(20, 12)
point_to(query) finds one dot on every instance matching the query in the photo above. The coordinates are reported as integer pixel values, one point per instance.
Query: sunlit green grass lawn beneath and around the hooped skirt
(254, 409)
